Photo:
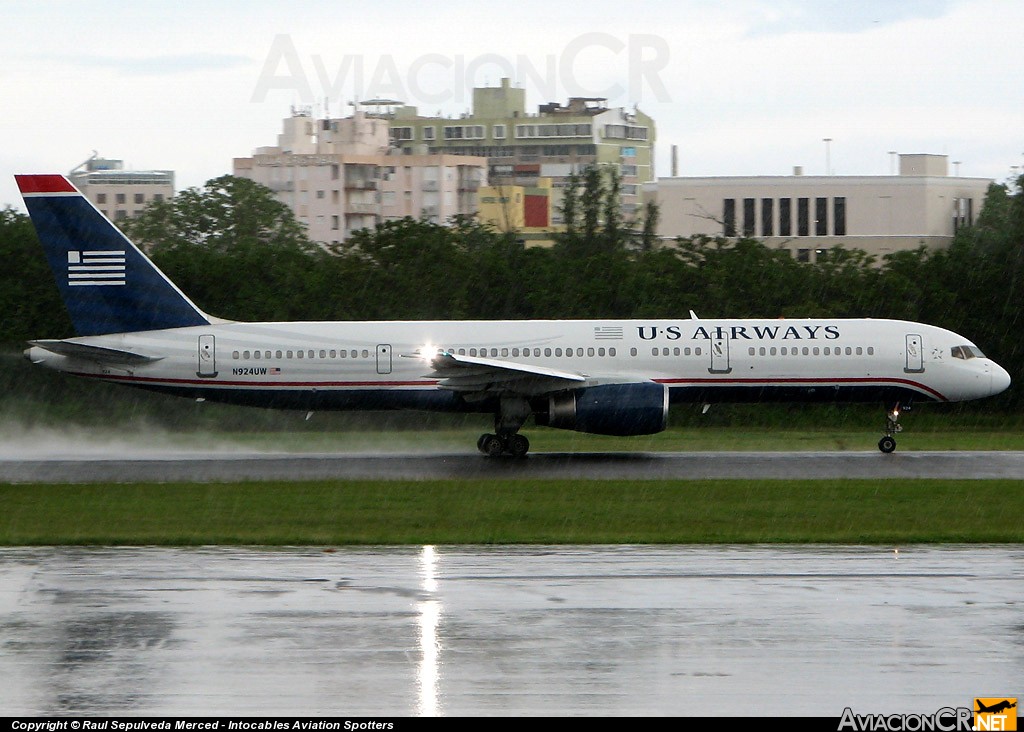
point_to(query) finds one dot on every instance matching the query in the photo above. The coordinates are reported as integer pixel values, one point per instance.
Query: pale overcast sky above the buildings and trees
(745, 88)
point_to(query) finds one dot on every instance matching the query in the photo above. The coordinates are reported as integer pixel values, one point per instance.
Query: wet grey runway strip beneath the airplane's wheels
(193, 466)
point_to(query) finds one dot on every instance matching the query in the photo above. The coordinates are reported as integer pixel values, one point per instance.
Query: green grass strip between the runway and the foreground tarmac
(334, 513)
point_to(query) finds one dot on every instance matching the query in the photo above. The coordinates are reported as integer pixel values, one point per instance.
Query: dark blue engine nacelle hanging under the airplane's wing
(611, 410)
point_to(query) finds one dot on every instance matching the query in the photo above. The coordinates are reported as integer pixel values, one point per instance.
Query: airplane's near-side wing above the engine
(473, 375)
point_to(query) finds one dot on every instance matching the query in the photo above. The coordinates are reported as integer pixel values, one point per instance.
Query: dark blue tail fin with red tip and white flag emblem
(108, 285)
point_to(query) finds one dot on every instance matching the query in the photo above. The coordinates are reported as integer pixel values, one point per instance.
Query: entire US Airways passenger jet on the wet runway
(613, 377)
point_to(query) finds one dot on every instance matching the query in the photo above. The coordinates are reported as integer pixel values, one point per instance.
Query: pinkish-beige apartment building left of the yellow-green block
(340, 176)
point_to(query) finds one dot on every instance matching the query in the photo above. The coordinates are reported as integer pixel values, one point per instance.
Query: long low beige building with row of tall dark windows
(808, 216)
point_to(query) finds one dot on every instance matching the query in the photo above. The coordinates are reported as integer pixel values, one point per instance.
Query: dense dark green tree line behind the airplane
(241, 254)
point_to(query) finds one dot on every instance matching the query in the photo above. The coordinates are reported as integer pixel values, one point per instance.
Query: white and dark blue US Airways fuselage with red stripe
(386, 365)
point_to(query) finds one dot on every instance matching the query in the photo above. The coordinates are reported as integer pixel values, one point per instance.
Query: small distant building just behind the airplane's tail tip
(119, 193)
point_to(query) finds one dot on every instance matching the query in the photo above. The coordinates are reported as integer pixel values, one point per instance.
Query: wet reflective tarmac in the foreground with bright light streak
(500, 631)
